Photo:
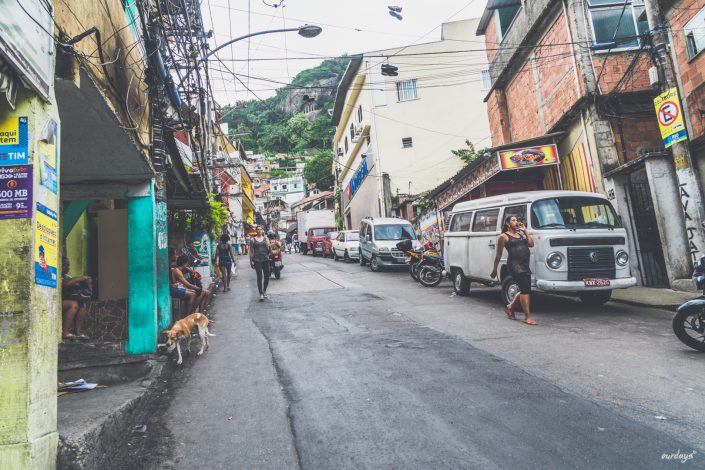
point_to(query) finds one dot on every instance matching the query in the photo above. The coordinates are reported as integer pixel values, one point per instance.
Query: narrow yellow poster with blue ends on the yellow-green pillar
(46, 237)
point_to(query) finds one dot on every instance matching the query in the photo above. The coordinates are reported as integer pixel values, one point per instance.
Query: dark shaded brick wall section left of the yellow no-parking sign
(637, 131)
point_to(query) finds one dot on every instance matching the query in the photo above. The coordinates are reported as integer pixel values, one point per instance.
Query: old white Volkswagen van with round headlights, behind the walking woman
(580, 246)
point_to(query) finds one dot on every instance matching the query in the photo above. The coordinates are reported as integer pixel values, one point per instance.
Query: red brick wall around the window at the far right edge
(692, 73)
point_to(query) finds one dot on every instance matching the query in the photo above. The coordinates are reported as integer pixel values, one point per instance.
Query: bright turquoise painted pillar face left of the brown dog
(142, 275)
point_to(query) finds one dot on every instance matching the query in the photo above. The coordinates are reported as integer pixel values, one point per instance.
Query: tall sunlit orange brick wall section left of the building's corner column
(557, 74)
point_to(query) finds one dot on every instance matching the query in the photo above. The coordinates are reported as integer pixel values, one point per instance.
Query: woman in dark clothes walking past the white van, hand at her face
(516, 238)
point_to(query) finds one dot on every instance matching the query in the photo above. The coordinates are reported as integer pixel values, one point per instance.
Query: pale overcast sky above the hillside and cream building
(348, 27)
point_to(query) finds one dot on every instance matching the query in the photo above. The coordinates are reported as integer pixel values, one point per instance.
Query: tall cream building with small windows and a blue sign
(394, 134)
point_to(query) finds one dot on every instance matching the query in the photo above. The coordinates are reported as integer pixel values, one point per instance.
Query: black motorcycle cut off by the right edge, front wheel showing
(689, 322)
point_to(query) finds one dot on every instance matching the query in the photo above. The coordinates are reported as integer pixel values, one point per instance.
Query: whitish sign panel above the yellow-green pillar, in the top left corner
(24, 41)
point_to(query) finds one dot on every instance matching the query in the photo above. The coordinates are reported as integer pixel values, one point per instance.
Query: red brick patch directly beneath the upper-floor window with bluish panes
(616, 66)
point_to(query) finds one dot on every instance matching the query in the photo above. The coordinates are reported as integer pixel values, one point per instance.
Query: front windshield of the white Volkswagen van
(573, 212)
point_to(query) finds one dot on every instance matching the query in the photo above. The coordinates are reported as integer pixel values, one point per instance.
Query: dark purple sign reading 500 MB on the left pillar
(16, 192)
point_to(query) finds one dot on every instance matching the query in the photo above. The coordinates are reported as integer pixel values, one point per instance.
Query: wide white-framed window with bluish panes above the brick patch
(612, 20)
